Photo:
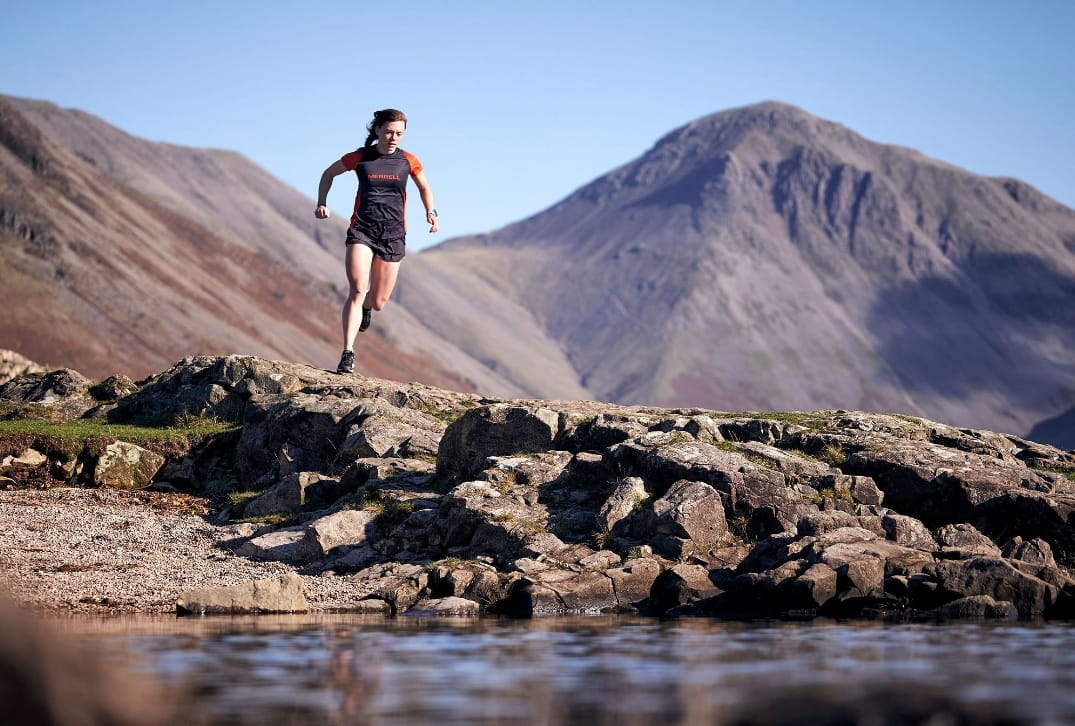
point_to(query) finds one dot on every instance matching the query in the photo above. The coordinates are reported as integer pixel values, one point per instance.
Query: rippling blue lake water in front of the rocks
(340, 670)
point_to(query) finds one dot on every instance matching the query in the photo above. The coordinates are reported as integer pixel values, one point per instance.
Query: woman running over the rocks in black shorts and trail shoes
(378, 234)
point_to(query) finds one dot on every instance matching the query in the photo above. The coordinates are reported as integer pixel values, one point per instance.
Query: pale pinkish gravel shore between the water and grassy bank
(97, 551)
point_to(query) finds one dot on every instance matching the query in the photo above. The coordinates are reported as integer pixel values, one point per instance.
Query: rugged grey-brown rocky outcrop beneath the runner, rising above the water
(446, 503)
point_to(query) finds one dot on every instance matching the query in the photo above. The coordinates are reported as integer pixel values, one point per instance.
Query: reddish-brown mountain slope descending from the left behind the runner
(124, 255)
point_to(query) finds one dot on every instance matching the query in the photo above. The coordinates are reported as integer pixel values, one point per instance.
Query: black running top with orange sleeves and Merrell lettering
(381, 203)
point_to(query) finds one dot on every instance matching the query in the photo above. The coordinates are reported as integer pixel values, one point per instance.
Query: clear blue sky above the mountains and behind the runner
(514, 105)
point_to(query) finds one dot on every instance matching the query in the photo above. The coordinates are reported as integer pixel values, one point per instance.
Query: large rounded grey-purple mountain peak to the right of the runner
(763, 259)
